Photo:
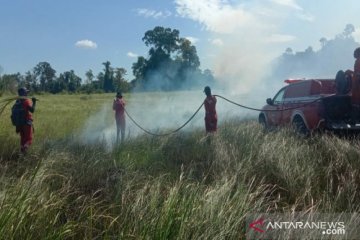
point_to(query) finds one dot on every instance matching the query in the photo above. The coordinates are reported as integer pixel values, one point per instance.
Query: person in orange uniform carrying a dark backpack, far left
(26, 131)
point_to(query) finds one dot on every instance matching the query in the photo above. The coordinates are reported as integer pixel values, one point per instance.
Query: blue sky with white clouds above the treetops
(234, 38)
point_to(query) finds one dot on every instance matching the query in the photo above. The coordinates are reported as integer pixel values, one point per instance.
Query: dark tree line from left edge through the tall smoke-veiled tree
(172, 64)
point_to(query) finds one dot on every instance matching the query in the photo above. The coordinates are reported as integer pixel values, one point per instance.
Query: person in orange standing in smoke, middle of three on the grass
(119, 108)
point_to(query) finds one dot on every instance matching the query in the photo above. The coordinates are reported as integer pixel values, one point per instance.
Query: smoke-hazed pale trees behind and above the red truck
(334, 54)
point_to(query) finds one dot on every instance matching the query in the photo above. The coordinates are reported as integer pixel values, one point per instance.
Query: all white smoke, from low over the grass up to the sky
(247, 39)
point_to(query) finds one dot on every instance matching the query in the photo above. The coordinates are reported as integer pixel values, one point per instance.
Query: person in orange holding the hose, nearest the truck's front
(210, 111)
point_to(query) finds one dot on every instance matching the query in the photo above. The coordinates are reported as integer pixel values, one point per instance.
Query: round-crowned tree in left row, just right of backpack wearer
(45, 74)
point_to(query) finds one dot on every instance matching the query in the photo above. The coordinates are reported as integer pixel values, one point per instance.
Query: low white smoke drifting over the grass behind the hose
(161, 113)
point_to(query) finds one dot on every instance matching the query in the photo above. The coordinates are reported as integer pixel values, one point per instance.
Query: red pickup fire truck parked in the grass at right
(309, 105)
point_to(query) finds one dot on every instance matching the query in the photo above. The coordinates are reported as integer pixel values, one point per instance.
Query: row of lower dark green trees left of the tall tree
(43, 78)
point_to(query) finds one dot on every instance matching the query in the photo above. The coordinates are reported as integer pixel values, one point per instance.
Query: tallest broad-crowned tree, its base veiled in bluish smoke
(172, 61)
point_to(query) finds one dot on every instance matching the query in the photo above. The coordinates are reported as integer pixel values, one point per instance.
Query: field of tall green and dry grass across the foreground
(183, 186)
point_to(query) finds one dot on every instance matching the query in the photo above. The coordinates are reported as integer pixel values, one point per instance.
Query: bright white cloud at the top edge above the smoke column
(222, 16)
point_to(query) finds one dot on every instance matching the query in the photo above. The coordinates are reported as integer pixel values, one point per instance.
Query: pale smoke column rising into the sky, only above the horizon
(248, 38)
